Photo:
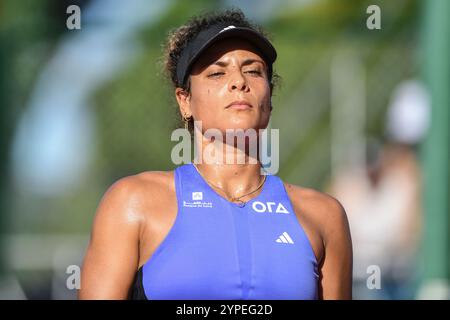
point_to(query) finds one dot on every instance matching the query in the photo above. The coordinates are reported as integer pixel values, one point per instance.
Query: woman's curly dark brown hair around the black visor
(179, 38)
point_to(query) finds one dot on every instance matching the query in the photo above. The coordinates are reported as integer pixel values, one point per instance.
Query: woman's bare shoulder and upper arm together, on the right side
(324, 220)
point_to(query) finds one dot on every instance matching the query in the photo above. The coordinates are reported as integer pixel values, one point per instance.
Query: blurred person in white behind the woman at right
(383, 201)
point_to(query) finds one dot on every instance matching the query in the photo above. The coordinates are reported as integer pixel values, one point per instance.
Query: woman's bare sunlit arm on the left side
(112, 256)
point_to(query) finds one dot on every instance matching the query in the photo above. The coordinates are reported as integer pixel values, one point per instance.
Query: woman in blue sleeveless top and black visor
(218, 231)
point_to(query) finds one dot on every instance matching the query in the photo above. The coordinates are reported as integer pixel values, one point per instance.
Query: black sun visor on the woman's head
(217, 32)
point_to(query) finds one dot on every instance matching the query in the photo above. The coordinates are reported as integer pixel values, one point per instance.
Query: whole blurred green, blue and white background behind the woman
(363, 115)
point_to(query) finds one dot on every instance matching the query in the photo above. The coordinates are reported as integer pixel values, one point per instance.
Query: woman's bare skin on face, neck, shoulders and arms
(137, 212)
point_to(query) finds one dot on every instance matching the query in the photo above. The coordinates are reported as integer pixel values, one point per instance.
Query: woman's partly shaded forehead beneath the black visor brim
(235, 47)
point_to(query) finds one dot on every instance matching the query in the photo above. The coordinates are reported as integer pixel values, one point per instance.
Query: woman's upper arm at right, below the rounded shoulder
(337, 261)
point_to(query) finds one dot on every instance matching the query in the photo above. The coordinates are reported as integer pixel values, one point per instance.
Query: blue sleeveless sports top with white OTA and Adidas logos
(220, 250)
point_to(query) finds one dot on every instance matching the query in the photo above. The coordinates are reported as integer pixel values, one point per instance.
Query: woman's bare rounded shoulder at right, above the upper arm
(326, 212)
